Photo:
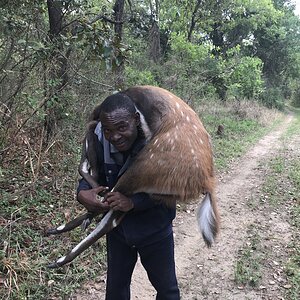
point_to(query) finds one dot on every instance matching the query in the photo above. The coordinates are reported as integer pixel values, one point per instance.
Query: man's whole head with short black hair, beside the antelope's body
(119, 121)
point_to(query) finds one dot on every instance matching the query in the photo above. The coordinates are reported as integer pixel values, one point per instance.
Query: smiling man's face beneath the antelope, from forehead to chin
(120, 128)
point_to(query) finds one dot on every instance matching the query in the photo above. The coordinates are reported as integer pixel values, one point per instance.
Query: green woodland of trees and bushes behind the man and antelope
(58, 58)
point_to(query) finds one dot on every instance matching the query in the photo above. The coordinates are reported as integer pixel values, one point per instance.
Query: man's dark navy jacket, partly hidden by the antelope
(148, 221)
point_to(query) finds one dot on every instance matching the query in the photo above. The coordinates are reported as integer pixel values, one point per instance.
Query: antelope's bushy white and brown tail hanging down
(208, 218)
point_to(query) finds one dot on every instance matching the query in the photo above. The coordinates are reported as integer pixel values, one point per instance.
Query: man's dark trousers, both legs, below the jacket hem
(157, 259)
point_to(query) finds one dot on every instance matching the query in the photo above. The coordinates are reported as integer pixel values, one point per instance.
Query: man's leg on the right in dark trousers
(158, 260)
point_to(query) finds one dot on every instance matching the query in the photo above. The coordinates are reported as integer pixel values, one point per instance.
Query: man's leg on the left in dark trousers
(121, 260)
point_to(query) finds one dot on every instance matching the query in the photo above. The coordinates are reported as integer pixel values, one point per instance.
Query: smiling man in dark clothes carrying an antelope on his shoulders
(147, 227)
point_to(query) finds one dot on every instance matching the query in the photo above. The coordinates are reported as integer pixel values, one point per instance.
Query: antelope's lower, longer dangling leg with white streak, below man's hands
(108, 222)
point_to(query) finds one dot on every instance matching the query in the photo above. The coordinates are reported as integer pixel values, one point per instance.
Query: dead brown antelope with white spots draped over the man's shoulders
(175, 165)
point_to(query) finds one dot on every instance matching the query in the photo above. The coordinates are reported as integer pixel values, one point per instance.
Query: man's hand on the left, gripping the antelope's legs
(90, 199)
